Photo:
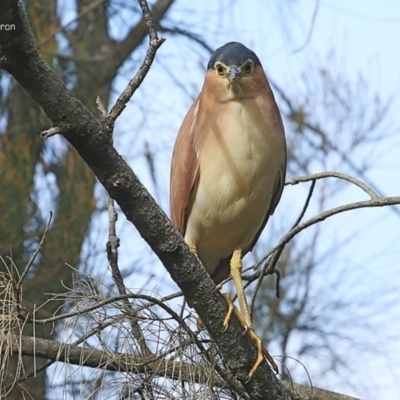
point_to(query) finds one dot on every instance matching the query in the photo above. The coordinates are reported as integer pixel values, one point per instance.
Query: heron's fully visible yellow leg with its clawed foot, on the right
(244, 315)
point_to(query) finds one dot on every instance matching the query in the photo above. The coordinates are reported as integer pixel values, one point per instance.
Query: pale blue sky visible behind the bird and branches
(291, 38)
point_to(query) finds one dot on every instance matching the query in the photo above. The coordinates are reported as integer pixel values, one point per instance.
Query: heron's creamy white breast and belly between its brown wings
(238, 169)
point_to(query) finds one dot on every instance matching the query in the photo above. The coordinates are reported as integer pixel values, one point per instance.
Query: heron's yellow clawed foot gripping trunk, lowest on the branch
(261, 350)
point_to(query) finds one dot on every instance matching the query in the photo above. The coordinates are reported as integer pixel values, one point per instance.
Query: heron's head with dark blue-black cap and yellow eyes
(233, 72)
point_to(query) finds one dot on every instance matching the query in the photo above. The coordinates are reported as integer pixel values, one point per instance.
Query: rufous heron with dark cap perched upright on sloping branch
(228, 168)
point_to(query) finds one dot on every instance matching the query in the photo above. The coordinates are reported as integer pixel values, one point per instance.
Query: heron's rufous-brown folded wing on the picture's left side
(184, 169)
